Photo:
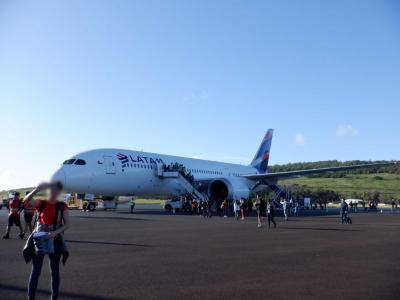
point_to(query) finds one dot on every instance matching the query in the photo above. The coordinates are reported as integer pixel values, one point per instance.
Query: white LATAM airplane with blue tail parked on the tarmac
(118, 172)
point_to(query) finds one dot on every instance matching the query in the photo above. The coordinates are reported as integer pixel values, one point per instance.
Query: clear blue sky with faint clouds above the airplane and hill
(197, 78)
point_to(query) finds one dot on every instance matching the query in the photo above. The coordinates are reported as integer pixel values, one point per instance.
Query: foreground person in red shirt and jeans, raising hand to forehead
(53, 220)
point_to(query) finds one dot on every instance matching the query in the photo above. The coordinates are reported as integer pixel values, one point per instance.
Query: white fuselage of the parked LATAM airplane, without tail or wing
(118, 172)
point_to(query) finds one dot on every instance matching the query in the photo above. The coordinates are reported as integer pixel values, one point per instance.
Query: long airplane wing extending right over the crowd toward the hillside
(291, 174)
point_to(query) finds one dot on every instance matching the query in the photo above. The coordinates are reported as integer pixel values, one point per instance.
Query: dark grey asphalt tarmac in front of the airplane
(151, 255)
